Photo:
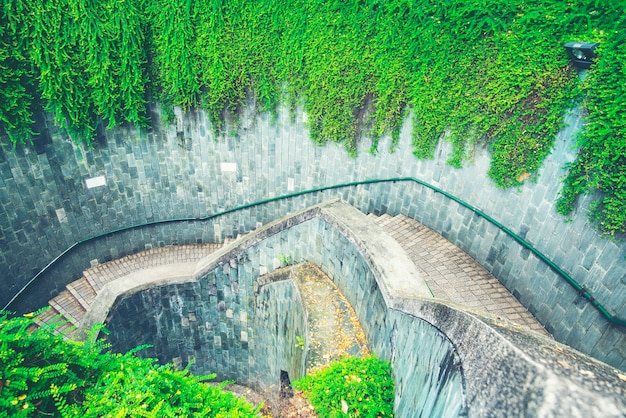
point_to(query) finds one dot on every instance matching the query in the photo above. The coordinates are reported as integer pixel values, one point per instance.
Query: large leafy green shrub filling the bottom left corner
(41, 373)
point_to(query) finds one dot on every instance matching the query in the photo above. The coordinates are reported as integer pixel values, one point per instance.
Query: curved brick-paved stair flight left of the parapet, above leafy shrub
(71, 305)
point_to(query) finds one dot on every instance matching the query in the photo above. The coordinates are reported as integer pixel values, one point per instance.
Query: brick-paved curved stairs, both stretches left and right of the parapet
(450, 273)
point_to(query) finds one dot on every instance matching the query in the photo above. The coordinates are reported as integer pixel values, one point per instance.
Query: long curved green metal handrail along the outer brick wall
(578, 287)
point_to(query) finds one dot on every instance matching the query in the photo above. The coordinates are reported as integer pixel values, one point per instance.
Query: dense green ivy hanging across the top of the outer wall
(481, 73)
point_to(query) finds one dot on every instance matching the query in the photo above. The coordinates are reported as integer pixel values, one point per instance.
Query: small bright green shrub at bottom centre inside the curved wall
(351, 386)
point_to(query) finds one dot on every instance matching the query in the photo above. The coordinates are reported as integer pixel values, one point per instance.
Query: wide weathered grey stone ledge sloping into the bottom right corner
(521, 373)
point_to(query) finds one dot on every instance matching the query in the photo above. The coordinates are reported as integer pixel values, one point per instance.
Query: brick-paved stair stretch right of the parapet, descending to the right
(453, 275)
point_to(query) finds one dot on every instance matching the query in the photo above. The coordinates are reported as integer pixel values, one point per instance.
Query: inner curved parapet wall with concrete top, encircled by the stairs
(445, 361)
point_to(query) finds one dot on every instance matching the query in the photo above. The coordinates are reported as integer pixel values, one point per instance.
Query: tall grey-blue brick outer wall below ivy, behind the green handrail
(59, 193)
